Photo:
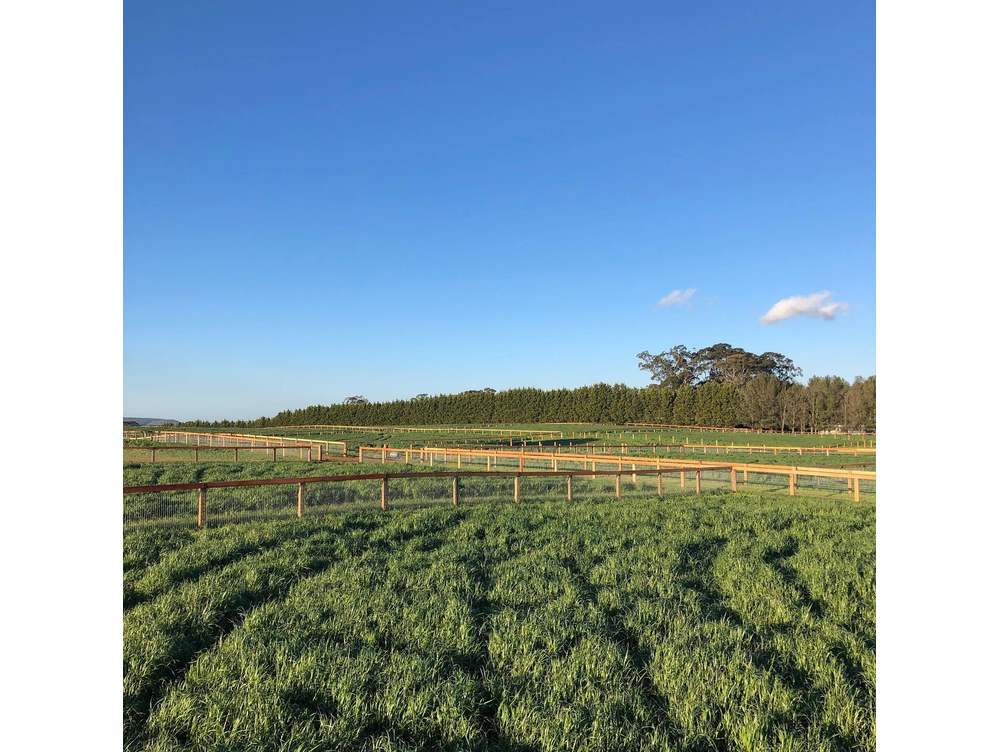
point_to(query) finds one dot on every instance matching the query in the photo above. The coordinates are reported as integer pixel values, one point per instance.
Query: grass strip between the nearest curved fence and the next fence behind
(269, 502)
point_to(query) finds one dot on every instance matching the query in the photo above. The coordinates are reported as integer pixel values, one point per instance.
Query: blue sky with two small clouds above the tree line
(325, 199)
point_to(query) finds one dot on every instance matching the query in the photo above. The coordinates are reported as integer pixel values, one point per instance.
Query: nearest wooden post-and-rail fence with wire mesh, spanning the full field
(220, 503)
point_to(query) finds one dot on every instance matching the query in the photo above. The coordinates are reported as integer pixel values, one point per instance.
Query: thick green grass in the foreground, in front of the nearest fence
(720, 622)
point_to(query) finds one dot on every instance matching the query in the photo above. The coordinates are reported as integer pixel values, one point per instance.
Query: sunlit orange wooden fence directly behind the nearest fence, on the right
(491, 458)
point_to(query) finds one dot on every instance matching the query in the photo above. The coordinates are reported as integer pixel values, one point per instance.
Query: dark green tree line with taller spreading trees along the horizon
(718, 385)
